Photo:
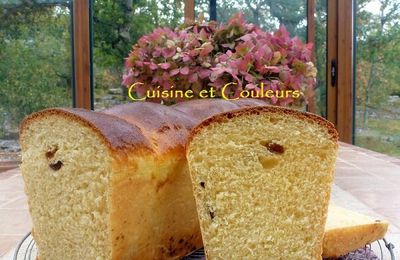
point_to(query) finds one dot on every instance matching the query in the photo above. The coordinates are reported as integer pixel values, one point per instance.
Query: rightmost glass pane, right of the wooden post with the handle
(377, 113)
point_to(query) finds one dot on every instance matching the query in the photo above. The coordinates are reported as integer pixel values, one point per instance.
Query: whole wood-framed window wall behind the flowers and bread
(36, 63)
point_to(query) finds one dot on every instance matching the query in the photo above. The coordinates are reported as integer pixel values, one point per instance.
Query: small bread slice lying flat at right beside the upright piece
(346, 231)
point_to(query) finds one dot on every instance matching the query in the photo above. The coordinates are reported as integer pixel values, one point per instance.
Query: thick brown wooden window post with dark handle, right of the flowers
(340, 50)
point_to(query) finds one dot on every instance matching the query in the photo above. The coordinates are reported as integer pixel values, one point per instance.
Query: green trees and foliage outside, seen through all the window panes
(35, 54)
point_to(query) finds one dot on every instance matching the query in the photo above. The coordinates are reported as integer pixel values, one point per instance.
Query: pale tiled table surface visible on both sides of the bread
(366, 181)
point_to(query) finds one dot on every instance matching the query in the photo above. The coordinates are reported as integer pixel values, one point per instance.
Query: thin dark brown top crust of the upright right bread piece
(266, 109)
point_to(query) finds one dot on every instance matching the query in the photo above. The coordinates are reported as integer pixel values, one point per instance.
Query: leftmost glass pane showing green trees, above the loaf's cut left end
(35, 64)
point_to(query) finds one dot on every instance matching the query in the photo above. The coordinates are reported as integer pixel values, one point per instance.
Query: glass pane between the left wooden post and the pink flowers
(117, 26)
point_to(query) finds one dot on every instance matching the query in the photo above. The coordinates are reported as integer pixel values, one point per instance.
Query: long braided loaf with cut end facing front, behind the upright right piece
(113, 184)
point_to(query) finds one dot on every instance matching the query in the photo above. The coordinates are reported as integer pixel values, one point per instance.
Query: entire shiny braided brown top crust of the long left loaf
(152, 126)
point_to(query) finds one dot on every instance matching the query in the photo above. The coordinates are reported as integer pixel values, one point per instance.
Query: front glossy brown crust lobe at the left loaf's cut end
(117, 134)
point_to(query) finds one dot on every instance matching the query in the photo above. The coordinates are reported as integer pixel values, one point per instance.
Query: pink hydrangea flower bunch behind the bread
(205, 55)
